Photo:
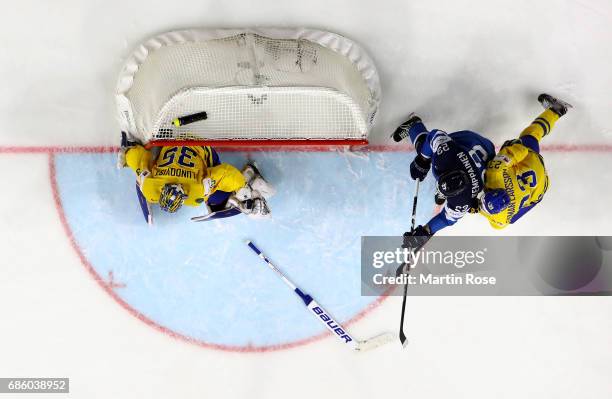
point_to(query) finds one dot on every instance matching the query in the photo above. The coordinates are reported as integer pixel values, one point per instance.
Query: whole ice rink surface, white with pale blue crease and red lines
(87, 291)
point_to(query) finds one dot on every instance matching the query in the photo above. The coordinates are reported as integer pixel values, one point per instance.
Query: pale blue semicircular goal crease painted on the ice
(199, 280)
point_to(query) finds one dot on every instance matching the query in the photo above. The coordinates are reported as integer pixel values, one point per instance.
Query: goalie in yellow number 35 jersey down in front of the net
(192, 175)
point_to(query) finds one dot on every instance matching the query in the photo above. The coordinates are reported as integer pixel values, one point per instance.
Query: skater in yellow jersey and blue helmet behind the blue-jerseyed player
(516, 179)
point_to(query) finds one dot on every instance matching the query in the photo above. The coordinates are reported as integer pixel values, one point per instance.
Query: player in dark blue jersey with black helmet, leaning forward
(458, 162)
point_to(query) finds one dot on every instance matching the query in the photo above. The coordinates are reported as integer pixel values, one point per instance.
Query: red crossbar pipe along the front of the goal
(259, 143)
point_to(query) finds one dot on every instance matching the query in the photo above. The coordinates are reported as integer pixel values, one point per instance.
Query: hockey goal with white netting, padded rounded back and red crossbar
(256, 87)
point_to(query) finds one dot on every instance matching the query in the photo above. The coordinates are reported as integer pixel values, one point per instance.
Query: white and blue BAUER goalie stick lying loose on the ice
(323, 316)
